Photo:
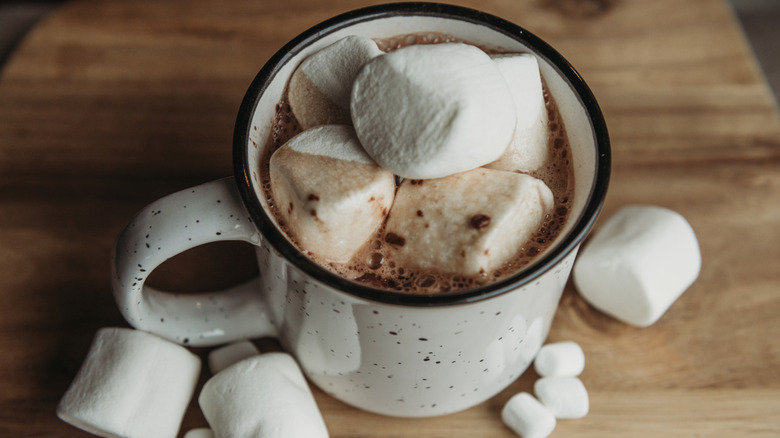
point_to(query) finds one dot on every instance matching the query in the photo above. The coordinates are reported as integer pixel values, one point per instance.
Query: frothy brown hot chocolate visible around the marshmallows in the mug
(374, 264)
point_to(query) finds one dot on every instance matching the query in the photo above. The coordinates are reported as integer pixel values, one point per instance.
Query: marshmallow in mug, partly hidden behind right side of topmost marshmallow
(528, 150)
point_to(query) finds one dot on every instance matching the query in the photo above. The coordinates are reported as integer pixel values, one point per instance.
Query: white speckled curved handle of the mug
(202, 214)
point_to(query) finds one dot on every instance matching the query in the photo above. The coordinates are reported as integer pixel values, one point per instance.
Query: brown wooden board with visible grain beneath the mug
(107, 106)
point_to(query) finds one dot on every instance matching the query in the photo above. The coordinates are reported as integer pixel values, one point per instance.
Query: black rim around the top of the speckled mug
(243, 168)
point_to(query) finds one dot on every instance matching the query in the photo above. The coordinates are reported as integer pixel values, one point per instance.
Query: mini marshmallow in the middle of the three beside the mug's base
(565, 397)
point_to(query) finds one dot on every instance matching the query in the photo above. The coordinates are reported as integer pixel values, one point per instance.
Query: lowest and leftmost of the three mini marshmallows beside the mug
(527, 417)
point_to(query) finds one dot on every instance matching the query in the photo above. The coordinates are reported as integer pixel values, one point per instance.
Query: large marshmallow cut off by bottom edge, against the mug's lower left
(266, 396)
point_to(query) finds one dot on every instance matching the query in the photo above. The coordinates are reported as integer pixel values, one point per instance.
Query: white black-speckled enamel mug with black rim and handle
(386, 352)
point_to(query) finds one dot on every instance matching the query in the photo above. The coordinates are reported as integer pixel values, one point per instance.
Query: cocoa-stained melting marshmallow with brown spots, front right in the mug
(471, 222)
